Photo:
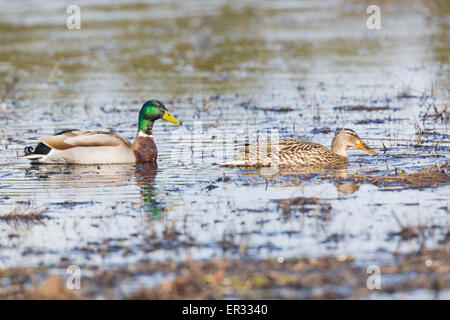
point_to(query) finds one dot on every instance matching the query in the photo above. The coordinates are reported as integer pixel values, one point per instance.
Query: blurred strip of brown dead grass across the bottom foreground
(326, 277)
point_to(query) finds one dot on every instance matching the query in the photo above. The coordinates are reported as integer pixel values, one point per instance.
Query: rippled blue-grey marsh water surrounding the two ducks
(226, 69)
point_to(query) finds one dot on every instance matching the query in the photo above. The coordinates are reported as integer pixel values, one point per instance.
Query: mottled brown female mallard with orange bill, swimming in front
(296, 152)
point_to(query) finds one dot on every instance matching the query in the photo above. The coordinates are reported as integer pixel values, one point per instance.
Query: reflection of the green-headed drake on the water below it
(99, 183)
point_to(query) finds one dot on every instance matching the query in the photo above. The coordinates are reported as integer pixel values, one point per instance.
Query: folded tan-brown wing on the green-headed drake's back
(81, 138)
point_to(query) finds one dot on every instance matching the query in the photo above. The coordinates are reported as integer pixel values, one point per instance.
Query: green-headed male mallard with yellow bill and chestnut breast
(93, 147)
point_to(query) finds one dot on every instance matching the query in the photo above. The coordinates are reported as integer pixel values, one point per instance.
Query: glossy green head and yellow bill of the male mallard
(151, 111)
